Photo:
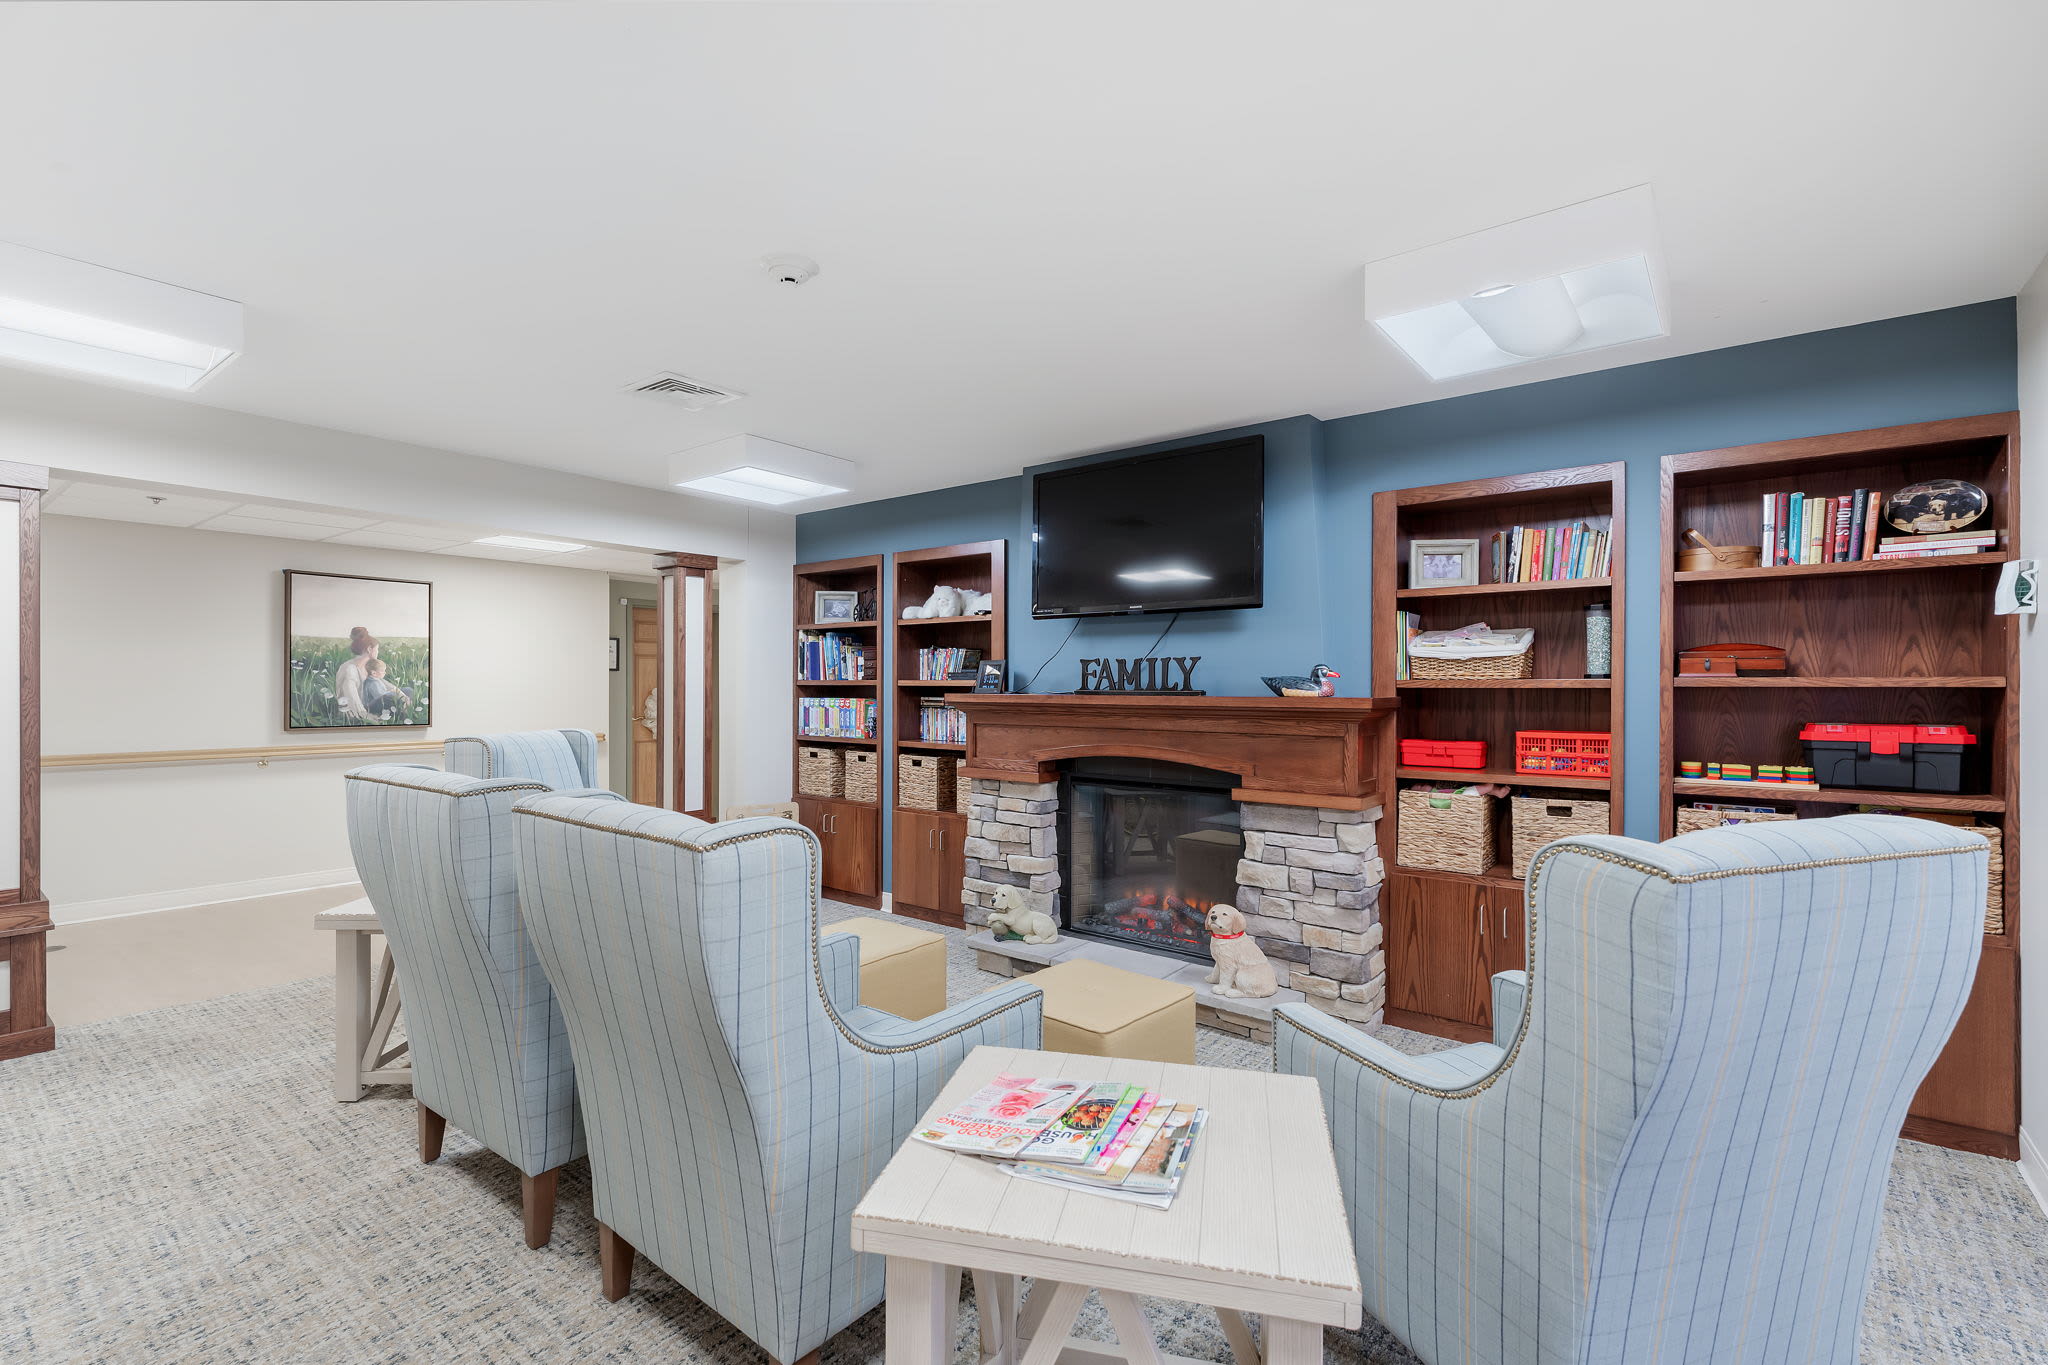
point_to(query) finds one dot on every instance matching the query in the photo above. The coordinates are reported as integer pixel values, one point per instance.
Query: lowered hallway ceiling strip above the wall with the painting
(165, 507)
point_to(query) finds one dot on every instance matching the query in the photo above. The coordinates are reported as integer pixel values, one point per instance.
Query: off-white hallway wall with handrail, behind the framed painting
(173, 640)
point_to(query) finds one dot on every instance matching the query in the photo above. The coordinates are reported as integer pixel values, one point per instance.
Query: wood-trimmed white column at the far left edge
(24, 914)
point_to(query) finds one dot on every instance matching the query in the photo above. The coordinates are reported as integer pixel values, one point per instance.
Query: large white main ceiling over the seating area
(1046, 228)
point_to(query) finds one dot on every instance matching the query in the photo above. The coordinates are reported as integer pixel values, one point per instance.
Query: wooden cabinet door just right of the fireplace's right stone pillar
(1437, 949)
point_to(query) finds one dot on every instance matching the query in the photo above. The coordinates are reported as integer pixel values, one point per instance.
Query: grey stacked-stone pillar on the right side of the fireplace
(1310, 887)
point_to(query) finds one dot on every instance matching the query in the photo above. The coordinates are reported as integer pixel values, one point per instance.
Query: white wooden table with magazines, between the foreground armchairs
(1258, 1229)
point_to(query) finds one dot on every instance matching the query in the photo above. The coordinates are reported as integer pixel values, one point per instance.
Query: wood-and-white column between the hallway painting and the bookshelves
(689, 685)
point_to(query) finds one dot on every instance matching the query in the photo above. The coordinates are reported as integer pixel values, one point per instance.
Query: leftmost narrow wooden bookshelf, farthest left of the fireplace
(851, 832)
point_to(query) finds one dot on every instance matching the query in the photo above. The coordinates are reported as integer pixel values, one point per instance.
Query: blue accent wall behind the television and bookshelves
(1322, 476)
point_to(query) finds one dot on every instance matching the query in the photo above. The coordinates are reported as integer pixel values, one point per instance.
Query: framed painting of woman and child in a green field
(357, 652)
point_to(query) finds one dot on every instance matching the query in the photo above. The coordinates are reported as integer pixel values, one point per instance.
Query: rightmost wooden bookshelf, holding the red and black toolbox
(1893, 642)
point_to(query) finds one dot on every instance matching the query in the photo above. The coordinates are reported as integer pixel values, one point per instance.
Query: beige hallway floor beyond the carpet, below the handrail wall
(122, 967)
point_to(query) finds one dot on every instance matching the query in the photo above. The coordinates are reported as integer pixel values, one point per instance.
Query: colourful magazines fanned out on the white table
(1111, 1139)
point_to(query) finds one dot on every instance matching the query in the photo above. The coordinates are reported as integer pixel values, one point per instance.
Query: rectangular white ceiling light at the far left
(73, 316)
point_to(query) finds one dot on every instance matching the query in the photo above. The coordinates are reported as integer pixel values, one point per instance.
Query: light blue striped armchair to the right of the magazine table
(1676, 1149)
